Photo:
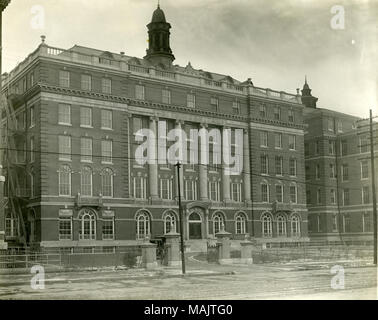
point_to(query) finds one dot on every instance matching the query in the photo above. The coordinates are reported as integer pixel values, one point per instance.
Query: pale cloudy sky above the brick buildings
(273, 42)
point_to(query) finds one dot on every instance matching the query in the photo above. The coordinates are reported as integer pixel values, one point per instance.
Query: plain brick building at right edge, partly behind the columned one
(338, 175)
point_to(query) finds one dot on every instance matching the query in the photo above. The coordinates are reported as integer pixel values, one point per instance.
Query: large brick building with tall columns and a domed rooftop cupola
(77, 112)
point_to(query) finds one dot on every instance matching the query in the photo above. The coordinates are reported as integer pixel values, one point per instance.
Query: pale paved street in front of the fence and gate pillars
(204, 282)
